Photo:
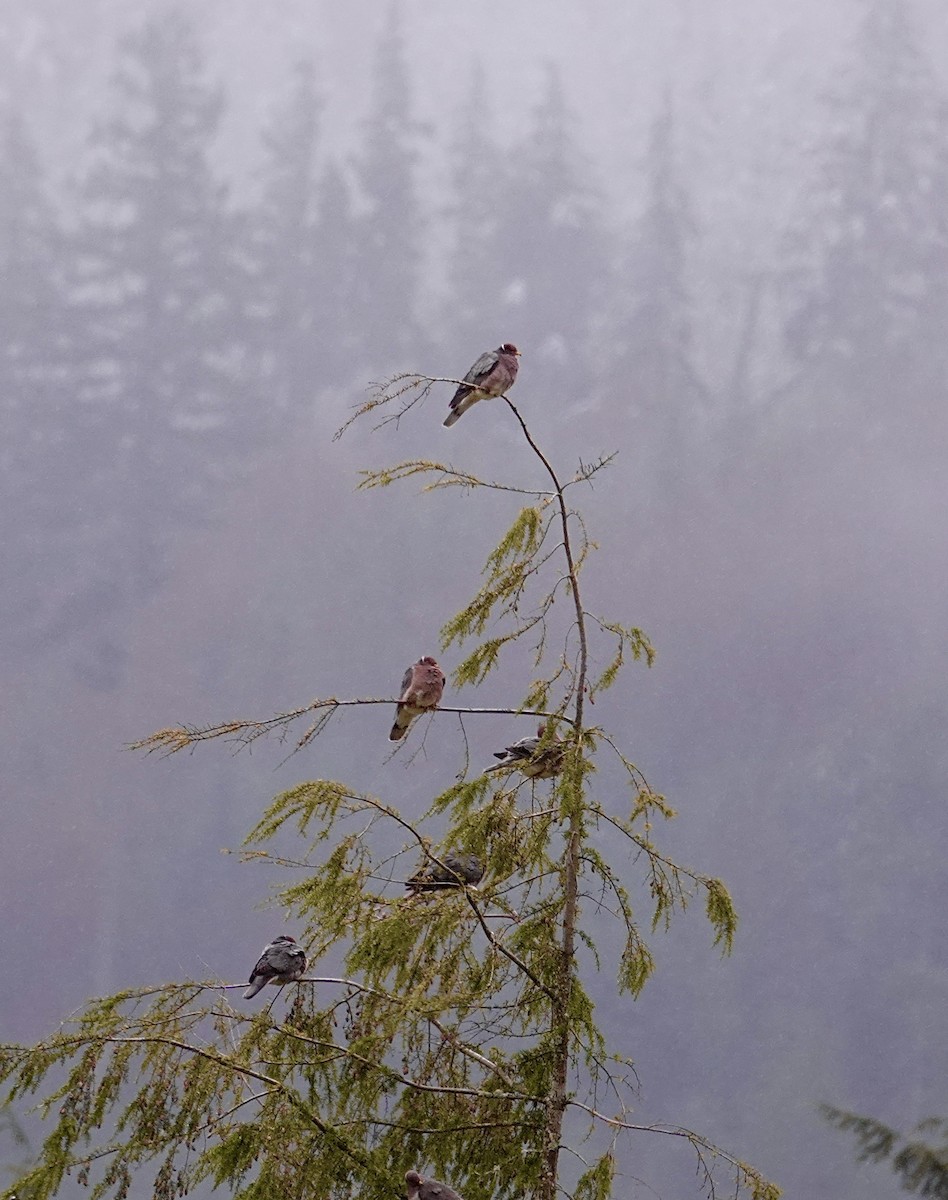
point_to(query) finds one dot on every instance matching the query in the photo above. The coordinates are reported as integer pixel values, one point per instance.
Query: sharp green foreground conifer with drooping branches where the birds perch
(459, 1035)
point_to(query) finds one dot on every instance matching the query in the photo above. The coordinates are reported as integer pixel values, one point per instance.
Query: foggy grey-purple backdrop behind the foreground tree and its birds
(719, 235)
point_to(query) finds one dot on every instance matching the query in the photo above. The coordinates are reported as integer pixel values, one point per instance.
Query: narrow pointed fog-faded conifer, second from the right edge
(649, 352)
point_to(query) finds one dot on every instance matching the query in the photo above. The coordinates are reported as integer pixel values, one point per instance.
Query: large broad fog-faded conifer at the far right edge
(873, 248)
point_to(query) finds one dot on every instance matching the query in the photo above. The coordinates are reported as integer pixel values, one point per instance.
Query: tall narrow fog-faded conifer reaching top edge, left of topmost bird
(391, 247)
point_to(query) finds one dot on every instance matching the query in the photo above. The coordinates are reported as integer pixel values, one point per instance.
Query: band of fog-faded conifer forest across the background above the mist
(157, 335)
